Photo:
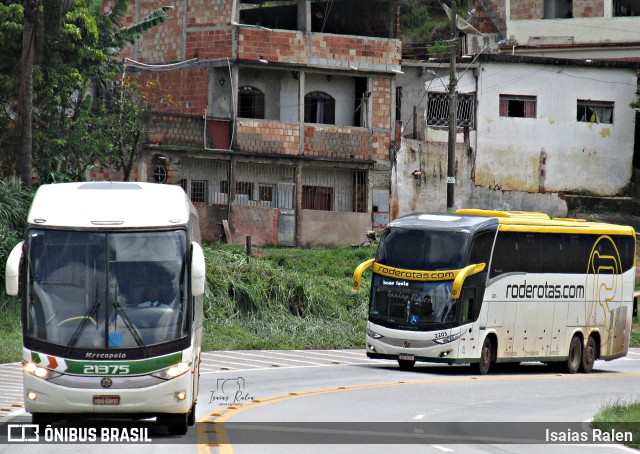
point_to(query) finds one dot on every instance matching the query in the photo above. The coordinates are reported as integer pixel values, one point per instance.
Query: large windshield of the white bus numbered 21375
(106, 290)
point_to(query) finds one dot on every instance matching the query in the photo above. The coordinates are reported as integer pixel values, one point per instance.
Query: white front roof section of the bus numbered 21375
(109, 205)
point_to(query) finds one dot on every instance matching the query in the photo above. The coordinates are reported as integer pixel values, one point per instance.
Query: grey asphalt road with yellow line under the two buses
(339, 401)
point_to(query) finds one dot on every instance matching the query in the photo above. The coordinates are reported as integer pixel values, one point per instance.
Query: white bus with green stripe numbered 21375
(112, 282)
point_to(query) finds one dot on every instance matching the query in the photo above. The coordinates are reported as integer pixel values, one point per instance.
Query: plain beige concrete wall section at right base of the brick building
(333, 228)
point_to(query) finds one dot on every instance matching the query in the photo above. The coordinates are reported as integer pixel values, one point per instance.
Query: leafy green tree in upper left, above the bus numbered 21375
(54, 52)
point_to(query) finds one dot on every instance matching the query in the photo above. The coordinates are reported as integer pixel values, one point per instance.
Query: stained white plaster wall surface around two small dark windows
(554, 152)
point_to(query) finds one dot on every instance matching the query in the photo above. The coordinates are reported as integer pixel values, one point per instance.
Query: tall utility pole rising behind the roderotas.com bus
(451, 150)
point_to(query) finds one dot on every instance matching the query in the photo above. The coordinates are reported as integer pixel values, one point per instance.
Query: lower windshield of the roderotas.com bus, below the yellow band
(412, 305)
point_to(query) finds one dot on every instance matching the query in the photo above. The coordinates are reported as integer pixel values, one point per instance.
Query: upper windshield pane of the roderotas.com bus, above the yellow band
(420, 249)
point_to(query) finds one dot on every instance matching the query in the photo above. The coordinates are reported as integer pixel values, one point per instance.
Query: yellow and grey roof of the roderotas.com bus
(515, 221)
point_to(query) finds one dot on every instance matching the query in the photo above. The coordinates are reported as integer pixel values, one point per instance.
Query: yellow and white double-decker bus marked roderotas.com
(484, 287)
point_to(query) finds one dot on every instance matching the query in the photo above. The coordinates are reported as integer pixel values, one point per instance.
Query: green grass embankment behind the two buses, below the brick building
(277, 299)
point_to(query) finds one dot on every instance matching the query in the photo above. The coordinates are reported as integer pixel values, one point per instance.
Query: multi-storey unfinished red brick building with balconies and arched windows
(283, 120)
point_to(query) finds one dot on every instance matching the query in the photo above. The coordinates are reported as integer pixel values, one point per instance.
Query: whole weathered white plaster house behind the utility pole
(529, 129)
